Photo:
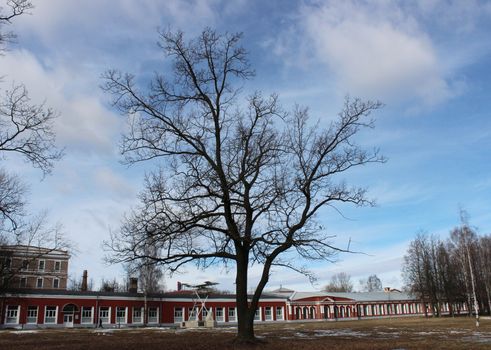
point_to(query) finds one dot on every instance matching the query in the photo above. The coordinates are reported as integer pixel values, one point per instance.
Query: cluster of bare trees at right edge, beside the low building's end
(455, 269)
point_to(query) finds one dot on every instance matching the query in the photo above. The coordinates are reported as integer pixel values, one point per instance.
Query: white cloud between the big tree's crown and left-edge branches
(83, 122)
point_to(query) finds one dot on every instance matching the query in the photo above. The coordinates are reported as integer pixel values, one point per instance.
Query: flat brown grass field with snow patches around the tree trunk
(399, 333)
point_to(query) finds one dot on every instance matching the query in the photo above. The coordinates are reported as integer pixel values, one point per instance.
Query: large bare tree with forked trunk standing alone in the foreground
(241, 180)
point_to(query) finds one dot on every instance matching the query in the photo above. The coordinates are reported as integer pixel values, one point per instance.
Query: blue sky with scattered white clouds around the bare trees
(428, 61)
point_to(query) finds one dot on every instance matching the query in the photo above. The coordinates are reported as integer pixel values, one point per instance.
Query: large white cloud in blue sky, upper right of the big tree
(376, 51)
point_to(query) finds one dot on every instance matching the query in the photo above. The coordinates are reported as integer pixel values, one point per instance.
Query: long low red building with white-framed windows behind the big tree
(49, 308)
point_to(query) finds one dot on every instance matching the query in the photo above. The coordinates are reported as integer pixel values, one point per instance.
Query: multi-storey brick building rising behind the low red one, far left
(28, 267)
